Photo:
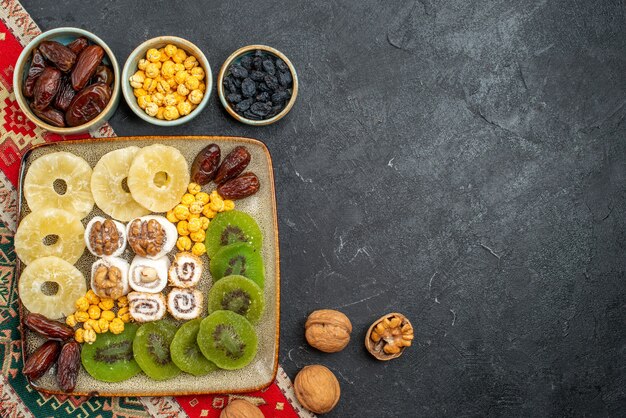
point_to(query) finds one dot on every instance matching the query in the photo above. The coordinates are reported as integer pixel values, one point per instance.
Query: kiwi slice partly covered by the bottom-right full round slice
(185, 351)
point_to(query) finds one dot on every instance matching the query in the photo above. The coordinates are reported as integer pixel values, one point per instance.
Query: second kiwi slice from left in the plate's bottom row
(151, 349)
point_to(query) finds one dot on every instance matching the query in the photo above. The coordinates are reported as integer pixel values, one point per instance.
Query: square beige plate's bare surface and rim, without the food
(261, 206)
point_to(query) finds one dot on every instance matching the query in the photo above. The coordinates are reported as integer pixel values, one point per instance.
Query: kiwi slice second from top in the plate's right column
(242, 259)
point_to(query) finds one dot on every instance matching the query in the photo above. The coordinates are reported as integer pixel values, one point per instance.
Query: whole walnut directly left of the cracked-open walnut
(328, 330)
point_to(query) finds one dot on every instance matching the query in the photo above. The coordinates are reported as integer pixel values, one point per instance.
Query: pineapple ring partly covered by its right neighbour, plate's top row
(106, 185)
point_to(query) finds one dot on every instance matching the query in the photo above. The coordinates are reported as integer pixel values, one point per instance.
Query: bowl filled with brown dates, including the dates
(66, 81)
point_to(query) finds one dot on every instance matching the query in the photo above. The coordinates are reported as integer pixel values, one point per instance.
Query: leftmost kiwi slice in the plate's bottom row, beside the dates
(110, 357)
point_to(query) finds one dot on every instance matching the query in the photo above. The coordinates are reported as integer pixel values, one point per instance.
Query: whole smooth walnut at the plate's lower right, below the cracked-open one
(317, 389)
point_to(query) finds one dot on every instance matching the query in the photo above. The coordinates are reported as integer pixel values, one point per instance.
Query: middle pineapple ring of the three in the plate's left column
(36, 226)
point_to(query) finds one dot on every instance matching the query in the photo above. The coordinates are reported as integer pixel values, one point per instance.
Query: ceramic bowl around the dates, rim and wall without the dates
(65, 36)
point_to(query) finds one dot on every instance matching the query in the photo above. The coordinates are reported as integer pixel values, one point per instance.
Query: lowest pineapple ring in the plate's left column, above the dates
(70, 281)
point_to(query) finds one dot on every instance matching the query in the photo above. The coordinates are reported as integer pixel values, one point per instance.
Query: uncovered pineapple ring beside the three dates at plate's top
(146, 182)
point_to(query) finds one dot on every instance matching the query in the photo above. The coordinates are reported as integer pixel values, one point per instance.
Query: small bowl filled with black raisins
(257, 85)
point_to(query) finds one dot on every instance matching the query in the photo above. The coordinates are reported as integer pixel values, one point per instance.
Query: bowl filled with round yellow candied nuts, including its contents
(167, 81)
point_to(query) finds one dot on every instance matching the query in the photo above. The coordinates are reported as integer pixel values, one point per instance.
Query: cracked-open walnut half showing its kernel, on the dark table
(388, 336)
